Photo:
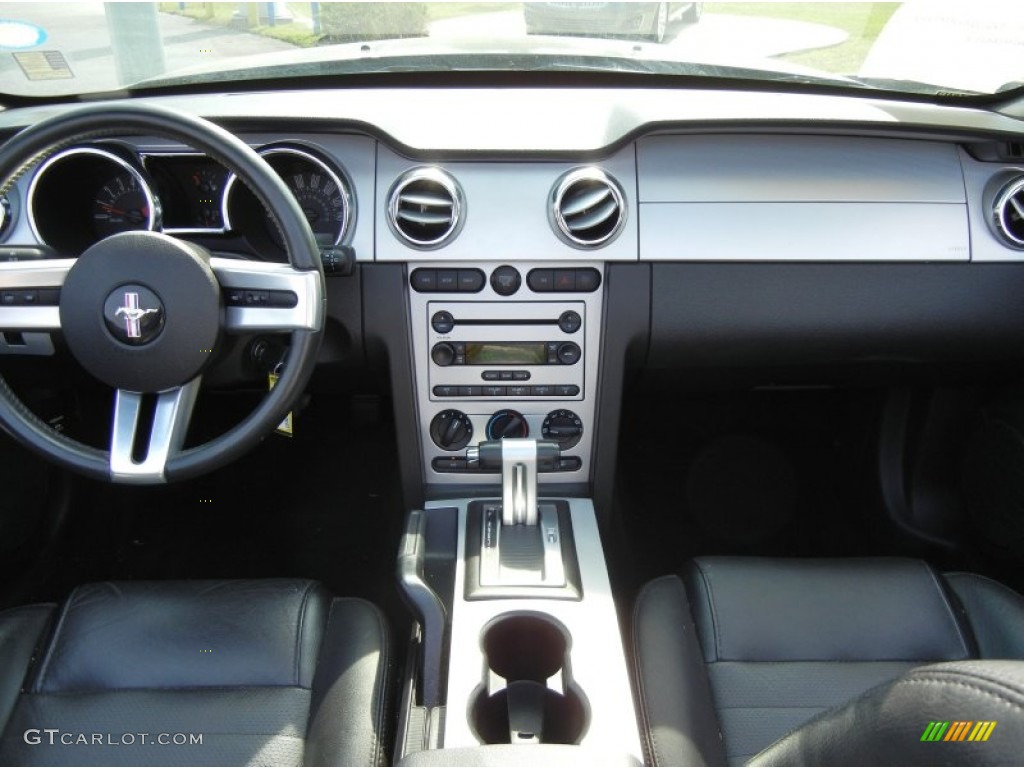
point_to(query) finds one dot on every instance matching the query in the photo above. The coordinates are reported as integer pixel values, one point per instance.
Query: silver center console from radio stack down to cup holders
(518, 646)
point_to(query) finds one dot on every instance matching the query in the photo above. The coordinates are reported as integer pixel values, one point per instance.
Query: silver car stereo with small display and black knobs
(482, 351)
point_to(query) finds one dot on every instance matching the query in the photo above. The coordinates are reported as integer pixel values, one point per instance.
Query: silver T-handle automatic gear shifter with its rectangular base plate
(521, 543)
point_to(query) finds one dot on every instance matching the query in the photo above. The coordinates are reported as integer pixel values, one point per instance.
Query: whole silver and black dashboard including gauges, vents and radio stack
(546, 237)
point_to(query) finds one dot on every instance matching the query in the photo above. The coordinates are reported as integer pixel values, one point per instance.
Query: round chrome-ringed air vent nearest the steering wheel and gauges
(425, 208)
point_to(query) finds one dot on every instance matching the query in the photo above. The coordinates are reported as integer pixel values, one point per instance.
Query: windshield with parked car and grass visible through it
(932, 47)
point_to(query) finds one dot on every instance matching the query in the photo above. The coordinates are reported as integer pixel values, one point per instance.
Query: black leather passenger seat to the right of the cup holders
(744, 652)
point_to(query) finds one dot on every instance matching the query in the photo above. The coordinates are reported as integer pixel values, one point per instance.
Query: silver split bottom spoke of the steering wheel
(142, 448)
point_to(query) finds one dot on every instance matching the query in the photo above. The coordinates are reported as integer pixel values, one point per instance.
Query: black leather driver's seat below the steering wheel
(262, 672)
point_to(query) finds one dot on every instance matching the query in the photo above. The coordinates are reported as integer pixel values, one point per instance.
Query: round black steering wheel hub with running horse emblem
(141, 312)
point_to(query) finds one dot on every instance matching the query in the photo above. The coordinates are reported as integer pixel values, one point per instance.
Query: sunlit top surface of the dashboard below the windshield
(566, 121)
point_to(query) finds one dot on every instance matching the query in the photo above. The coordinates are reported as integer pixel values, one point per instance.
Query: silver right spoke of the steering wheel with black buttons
(262, 296)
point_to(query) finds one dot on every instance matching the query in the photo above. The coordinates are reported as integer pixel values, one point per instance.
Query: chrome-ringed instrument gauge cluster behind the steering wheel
(86, 194)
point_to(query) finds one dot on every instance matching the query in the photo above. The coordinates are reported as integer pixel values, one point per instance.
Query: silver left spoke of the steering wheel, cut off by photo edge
(29, 294)
